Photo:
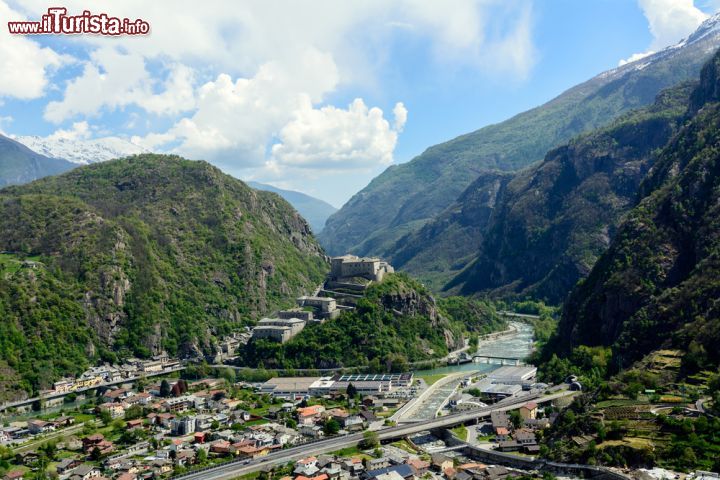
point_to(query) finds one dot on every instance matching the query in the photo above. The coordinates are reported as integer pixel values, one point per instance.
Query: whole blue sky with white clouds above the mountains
(316, 96)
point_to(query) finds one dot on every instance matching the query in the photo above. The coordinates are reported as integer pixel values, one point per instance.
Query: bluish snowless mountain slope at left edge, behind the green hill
(19, 164)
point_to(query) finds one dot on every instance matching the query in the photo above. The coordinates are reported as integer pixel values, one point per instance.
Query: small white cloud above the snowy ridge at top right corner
(669, 22)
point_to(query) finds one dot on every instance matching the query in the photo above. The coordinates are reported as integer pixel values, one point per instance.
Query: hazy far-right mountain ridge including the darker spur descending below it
(387, 216)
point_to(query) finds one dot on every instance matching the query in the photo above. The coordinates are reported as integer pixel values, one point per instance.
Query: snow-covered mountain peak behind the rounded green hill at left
(81, 151)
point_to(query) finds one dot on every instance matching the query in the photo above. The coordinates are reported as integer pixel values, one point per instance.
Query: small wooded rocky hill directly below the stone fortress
(397, 322)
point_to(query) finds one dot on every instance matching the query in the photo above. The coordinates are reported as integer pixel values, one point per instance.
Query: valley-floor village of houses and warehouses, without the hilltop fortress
(168, 427)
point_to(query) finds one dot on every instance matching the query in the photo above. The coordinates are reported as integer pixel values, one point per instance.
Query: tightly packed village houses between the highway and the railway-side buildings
(180, 420)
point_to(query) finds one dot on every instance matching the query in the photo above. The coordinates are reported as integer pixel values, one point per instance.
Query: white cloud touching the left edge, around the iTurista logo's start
(24, 65)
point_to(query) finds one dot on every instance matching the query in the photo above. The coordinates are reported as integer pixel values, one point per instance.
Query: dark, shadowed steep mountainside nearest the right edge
(657, 285)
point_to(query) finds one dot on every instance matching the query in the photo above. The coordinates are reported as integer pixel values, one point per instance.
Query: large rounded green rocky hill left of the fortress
(139, 255)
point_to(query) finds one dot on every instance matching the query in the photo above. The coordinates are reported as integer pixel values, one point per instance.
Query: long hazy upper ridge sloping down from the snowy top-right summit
(405, 197)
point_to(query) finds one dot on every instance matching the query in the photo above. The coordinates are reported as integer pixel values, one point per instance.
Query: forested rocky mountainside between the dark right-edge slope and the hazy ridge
(554, 220)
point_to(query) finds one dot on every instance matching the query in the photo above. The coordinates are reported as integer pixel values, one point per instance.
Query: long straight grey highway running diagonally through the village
(238, 468)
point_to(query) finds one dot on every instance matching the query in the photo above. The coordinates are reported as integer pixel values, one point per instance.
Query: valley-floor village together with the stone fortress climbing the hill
(155, 418)
